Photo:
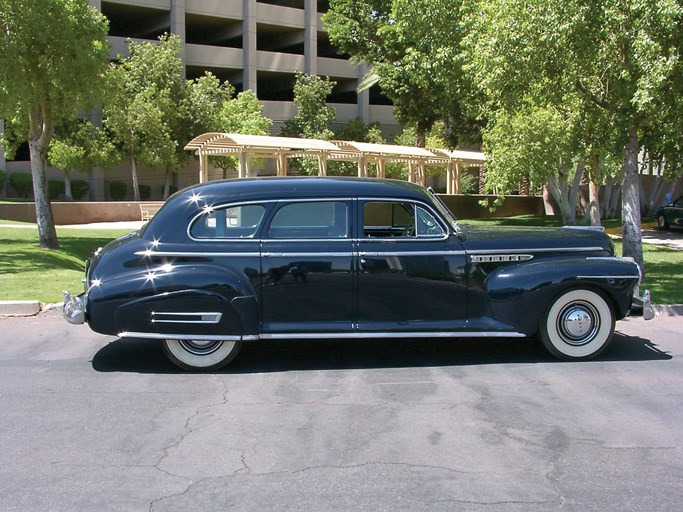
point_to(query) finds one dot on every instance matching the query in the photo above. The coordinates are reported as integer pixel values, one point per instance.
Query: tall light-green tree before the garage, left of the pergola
(141, 107)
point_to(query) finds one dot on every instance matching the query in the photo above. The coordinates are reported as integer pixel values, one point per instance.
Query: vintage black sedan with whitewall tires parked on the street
(235, 261)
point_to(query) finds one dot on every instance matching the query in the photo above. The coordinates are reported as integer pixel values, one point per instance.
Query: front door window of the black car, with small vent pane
(387, 219)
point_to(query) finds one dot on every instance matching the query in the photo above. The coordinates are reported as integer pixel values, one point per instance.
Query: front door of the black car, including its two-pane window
(411, 270)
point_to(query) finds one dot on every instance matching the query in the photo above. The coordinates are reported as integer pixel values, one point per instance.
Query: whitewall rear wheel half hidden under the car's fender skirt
(201, 355)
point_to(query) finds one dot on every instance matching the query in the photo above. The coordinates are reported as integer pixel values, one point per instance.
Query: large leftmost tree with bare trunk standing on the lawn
(53, 56)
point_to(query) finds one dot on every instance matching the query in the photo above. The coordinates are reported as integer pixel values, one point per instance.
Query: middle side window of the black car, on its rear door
(315, 219)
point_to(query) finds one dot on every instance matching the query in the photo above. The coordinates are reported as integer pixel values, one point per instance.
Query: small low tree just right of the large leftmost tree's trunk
(79, 146)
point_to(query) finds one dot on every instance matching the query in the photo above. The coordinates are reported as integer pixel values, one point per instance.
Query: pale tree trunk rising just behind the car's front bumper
(632, 240)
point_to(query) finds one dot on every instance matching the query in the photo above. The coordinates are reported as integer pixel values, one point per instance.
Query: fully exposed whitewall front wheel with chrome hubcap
(578, 325)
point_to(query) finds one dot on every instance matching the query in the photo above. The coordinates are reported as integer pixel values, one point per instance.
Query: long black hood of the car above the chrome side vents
(476, 238)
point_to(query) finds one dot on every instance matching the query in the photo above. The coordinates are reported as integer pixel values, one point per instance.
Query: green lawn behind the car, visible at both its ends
(29, 273)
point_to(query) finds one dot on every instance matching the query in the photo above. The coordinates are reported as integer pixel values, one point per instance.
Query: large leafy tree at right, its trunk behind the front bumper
(618, 60)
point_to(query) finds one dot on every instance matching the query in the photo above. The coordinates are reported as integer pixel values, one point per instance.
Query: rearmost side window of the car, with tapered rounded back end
(234, 222)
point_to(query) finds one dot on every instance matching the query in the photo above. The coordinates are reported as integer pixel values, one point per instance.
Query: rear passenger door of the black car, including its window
(307, 274)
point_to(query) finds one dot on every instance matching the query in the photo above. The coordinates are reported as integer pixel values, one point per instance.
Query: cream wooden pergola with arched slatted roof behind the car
(281, 148)
